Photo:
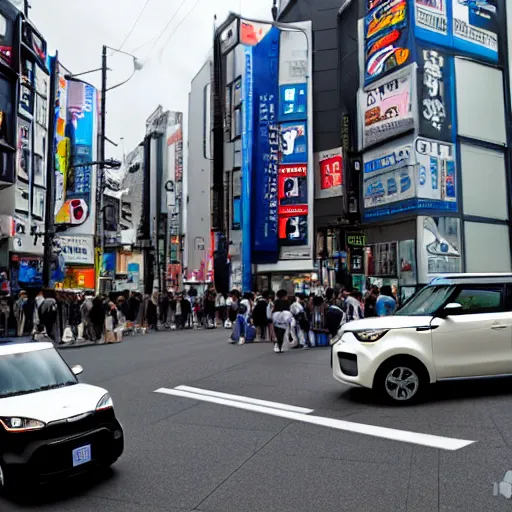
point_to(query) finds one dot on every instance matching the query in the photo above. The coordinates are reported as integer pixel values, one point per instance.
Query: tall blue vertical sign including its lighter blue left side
(260, 144)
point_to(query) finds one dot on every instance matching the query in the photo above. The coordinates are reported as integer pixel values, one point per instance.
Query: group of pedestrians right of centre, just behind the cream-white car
(301, 321)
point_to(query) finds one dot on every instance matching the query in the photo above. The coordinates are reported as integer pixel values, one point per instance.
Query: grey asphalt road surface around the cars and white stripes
(188, 455)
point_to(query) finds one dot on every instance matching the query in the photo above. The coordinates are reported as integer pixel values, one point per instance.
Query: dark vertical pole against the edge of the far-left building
(49, 218)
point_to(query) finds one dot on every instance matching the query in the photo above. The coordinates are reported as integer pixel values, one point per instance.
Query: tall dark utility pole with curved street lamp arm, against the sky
(137, 66)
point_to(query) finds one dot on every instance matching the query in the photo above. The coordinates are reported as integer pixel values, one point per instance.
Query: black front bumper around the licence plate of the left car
(42, 460)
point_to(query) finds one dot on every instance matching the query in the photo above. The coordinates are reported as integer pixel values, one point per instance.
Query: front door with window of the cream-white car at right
(477, 340)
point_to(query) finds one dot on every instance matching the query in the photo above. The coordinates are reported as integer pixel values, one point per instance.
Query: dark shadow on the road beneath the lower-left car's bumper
(57, 493)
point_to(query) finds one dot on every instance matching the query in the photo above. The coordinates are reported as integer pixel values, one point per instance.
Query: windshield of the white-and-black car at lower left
(30, 372)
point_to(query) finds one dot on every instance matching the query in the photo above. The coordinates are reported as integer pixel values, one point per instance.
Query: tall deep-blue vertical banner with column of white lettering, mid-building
(265, 148)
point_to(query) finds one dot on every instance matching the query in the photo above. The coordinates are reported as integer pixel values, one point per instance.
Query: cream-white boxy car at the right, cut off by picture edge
(457, 327)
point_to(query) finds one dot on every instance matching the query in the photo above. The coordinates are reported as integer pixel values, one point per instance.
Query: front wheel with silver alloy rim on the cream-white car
(401, 381)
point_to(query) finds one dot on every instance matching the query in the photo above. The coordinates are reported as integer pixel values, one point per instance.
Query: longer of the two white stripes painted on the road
(442, 443)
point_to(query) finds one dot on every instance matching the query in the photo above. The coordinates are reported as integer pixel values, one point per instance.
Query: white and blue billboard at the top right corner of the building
(475, 27)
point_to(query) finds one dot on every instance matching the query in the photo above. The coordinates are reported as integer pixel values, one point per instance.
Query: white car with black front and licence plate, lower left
(51, 425)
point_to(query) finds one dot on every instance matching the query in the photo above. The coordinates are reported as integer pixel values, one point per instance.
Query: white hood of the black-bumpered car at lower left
(54, 404)
